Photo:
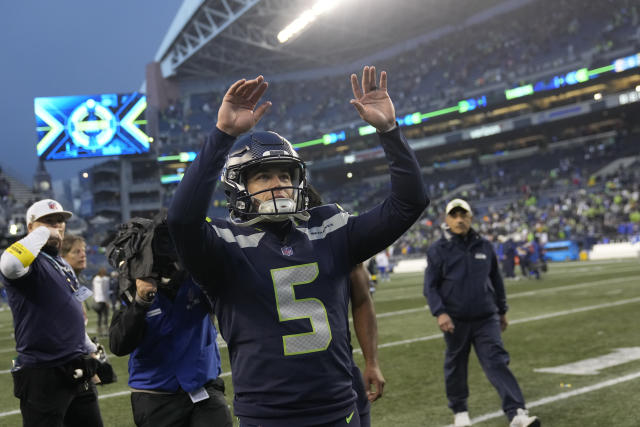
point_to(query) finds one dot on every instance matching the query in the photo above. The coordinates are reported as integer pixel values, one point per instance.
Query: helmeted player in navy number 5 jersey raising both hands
(279, 271)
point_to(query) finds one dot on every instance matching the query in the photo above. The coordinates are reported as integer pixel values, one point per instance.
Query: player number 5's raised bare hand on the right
(372, 100)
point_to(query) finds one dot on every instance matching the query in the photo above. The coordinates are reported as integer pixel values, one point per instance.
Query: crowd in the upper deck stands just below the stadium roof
(436, 75)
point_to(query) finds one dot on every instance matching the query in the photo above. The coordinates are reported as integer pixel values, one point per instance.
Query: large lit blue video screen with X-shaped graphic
(71, 127)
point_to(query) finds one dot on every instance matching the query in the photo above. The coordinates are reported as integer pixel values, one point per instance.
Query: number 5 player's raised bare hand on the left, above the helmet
(238, 113)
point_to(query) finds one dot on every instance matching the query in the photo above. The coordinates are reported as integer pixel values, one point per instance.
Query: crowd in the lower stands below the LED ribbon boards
(554, 194)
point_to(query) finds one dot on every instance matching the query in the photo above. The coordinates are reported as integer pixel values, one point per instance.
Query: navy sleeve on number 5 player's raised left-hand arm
(194, 238)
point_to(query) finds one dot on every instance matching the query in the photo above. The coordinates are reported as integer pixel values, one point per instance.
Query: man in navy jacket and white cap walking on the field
(466, 294)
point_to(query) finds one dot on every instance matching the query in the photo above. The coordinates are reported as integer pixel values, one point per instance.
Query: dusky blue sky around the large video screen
(69, 47)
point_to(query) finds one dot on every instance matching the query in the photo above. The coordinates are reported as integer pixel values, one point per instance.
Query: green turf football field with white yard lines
(578, 311)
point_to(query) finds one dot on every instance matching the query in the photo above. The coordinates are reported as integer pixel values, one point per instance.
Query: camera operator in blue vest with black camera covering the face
(165, 326)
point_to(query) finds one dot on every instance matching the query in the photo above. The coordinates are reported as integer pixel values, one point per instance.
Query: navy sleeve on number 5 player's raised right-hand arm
(379, 227)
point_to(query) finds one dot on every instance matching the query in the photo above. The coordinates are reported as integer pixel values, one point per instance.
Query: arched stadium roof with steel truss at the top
(222, 38)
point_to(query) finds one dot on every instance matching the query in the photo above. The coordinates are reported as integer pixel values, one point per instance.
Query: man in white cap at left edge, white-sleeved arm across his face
(52, 372)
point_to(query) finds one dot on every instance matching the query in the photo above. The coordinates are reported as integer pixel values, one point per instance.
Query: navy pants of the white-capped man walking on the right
(485, 336)
